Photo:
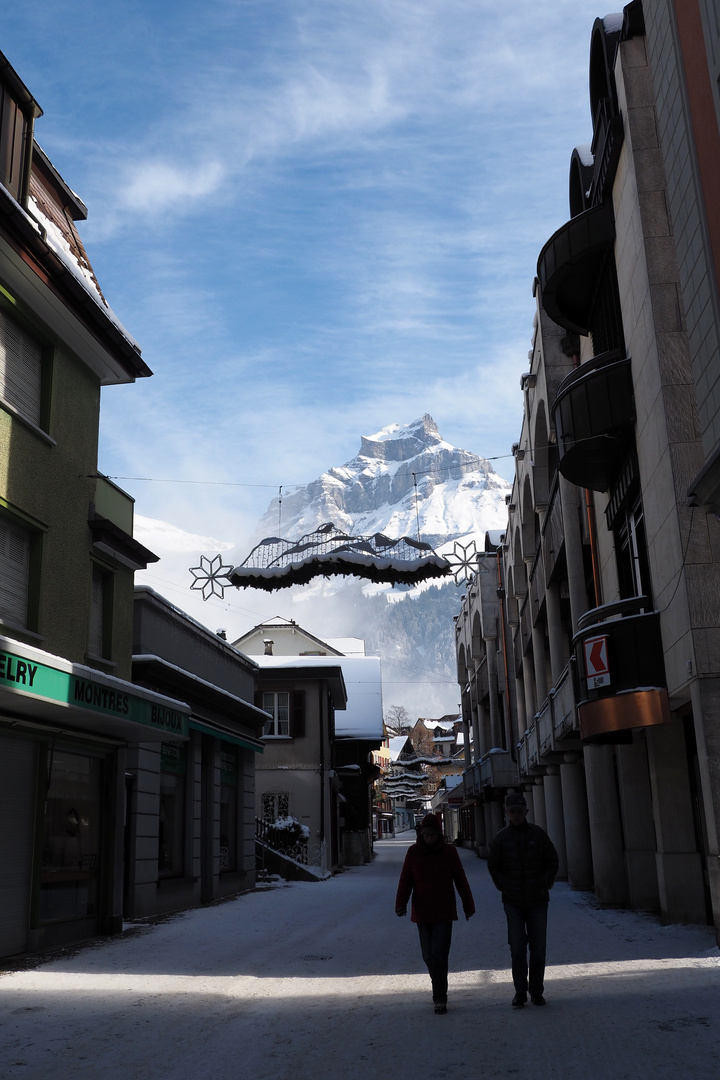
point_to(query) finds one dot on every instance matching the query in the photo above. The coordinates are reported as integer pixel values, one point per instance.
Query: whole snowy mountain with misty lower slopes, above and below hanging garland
(404, 481)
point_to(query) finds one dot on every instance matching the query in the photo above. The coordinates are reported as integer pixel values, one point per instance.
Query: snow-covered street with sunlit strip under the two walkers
(324, 982)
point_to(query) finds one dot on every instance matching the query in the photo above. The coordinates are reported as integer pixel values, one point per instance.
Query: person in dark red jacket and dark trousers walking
(431, 873)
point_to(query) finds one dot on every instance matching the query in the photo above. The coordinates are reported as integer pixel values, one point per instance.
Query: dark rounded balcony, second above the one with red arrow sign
(570, 264)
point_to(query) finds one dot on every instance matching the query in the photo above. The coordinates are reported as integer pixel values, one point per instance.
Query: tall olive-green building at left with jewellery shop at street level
(69, 709)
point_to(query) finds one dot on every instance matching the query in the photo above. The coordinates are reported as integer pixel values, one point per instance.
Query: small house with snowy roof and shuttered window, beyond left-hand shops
(327, 712)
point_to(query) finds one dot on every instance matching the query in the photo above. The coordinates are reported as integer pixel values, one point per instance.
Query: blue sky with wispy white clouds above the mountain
(318, 218)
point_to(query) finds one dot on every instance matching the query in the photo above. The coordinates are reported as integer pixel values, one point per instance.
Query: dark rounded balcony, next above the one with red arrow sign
(594, 416)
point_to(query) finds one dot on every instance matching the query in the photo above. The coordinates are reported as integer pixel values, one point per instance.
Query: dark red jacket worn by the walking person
(430, 874)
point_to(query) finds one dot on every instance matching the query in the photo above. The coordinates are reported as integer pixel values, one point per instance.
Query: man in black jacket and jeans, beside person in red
(523, 865)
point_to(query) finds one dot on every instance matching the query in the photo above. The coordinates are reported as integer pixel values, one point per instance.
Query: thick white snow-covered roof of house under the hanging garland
(362, 719)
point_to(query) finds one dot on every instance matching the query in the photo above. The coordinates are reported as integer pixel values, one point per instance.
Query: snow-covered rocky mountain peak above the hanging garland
(403, 481)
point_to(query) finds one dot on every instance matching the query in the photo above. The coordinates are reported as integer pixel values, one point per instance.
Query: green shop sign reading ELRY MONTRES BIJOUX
(19, 674)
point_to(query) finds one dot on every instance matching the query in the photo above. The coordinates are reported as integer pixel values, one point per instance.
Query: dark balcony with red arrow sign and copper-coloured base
(620, 672)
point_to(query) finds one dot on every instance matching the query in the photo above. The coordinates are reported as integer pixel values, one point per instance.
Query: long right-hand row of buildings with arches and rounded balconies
(589, 644)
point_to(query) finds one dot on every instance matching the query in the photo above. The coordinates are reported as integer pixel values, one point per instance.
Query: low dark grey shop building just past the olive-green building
(191, 818)
